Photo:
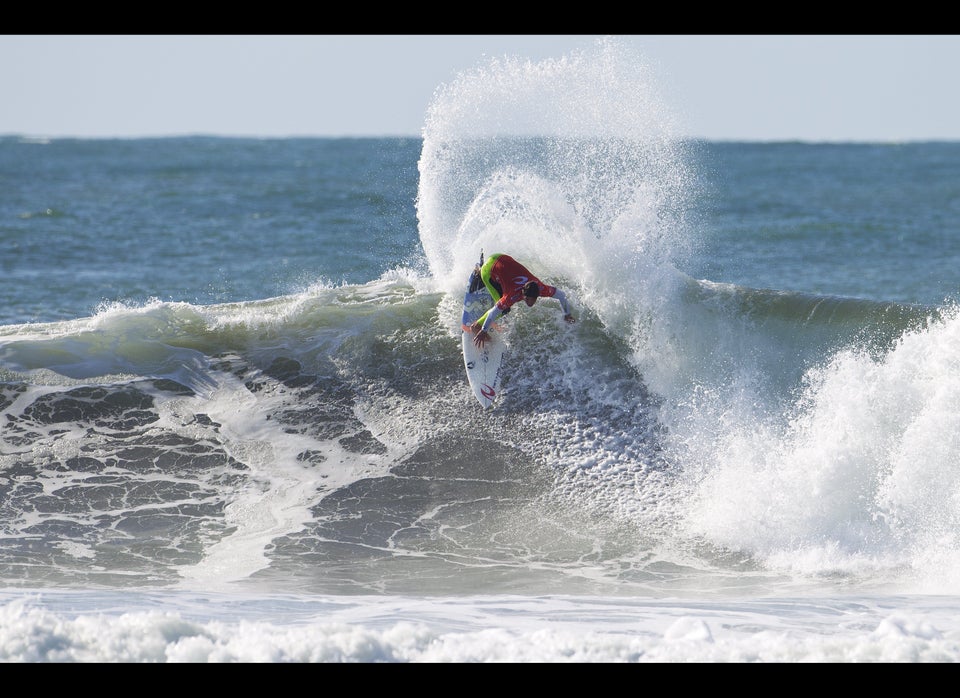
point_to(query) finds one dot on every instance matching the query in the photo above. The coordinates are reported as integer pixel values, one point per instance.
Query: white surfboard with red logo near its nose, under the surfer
(484, 366)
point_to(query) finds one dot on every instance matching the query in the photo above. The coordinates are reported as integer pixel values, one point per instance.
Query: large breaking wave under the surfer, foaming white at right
(325, 406)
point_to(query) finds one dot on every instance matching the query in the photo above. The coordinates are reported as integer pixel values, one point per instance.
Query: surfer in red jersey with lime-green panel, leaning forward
(508, 282)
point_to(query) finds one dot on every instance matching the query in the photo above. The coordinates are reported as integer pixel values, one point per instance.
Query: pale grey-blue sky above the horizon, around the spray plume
(727, 87)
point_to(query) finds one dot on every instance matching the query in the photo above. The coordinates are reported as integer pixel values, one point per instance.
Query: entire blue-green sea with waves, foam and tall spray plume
(235, 424)
